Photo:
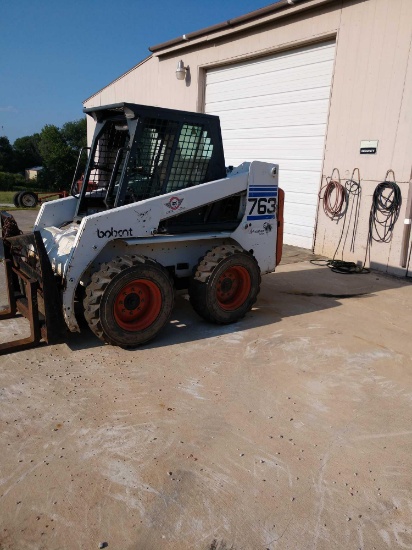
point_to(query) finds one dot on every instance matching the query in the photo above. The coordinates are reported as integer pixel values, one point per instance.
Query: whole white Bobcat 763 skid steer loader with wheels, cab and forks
(152, 209)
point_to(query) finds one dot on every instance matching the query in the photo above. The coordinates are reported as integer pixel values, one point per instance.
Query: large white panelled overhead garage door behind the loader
(275, 109)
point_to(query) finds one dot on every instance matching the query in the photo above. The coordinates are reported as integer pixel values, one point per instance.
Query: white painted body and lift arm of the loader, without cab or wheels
(77, 250)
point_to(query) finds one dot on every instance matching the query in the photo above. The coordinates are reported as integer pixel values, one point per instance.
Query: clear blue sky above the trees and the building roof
(55, 54)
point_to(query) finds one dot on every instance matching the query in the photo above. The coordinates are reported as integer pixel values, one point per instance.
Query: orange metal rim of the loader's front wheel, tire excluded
(137, 305)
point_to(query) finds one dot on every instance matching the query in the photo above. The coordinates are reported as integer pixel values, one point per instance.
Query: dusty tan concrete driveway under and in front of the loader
(290, 429)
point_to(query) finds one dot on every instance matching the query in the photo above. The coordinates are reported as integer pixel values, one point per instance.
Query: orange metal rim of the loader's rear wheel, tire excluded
(233, 288)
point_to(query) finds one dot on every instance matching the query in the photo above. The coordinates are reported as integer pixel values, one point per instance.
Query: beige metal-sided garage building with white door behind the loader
(322, 87)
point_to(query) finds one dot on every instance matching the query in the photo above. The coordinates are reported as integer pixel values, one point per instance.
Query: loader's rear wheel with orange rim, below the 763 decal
(225, 285)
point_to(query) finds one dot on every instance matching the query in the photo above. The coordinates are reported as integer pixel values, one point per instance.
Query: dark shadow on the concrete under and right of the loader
(294, 291)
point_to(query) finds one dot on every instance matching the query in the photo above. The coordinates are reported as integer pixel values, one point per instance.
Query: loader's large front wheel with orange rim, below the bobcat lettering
(128, 301)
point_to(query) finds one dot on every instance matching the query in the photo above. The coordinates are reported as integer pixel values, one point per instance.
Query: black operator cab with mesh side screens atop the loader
(139, 152)
